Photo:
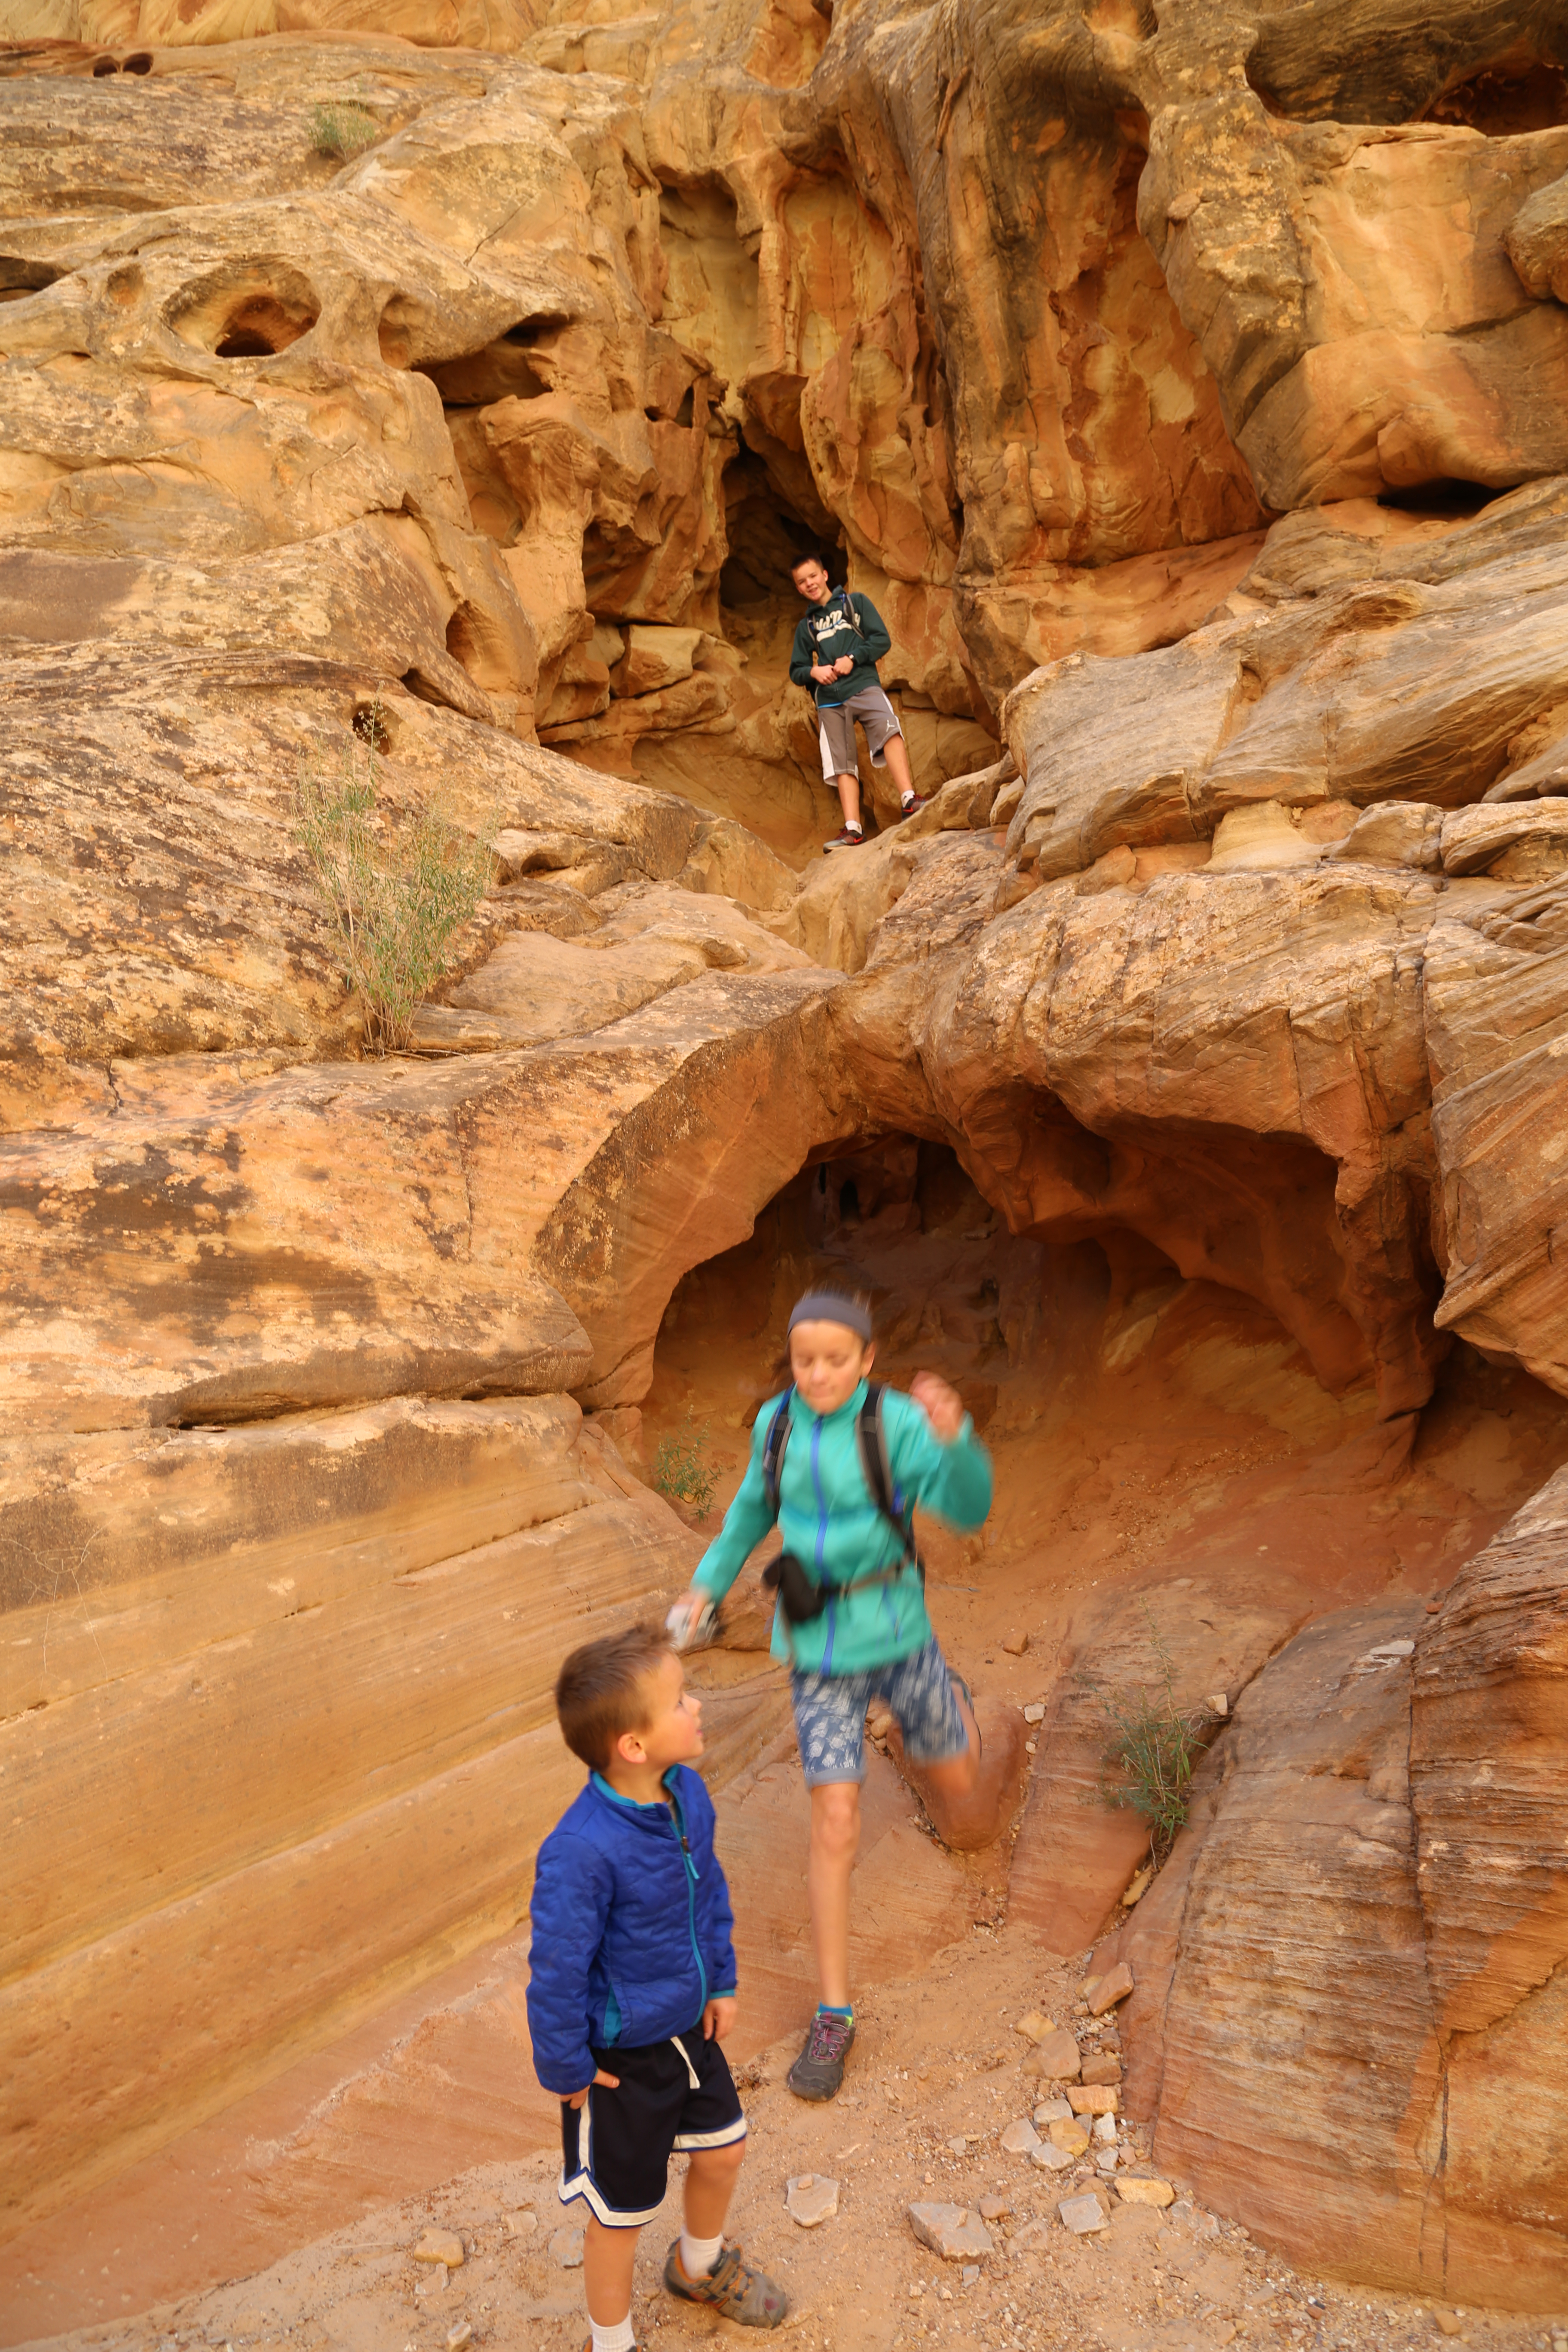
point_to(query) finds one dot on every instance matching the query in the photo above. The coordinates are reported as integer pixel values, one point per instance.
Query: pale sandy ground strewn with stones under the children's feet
(937, 2064)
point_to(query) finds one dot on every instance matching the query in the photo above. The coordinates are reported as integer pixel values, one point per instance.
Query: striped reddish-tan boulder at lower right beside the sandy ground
(1376, 1824)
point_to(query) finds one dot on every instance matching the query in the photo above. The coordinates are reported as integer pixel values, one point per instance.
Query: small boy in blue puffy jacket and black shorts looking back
(634, 1989)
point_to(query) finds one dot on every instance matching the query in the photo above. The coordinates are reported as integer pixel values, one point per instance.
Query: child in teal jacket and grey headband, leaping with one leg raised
(871, 1636)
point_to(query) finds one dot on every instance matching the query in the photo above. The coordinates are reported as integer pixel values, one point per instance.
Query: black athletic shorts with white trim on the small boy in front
(617, 2146)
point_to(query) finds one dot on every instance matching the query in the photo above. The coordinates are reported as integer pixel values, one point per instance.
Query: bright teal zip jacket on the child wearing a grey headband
(831, 1523)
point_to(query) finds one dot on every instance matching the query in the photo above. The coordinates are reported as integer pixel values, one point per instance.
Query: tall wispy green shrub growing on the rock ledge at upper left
(401, 890)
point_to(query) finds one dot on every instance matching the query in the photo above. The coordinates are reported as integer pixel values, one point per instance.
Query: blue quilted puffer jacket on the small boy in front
(631, 1927)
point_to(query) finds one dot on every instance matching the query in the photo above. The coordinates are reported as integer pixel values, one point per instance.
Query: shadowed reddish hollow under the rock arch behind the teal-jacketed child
(1144, 1426)
